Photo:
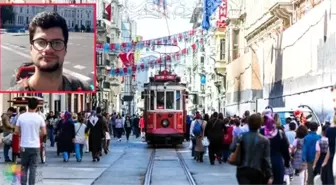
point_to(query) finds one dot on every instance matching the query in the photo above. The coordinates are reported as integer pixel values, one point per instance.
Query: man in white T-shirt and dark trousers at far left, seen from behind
(30, 126)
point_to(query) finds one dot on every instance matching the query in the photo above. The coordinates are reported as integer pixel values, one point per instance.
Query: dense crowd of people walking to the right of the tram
(264, 150)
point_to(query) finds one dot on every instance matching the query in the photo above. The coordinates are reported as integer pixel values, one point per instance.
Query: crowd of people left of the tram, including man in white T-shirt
(71, 133)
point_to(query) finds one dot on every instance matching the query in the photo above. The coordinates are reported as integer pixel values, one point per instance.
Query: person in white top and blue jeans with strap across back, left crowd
(80, 137)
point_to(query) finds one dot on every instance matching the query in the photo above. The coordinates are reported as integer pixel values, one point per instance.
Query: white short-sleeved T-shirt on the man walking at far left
(30, 124)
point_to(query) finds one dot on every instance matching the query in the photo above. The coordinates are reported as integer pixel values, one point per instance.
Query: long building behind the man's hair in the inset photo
(75, 16)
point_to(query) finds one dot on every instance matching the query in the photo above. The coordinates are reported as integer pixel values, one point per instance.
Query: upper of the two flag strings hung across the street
(148, 44)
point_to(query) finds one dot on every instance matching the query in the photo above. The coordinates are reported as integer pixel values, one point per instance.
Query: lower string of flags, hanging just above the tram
(146, 64)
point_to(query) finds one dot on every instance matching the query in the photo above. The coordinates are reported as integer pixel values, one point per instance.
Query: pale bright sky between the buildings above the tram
(151, 28)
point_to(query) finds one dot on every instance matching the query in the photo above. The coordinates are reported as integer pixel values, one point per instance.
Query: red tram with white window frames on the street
(165, 109)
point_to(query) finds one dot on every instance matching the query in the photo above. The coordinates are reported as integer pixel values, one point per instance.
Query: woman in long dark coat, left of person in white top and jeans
(66, 136)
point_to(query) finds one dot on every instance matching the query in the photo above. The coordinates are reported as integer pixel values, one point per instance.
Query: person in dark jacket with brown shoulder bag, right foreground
(255, 167)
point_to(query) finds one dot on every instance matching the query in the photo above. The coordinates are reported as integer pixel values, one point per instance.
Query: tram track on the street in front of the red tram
(156, 159)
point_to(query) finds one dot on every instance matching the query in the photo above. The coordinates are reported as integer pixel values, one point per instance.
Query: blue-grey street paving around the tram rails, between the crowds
(126, 164)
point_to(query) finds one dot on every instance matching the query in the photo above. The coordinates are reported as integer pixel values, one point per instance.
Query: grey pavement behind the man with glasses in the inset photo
(79, 60)
